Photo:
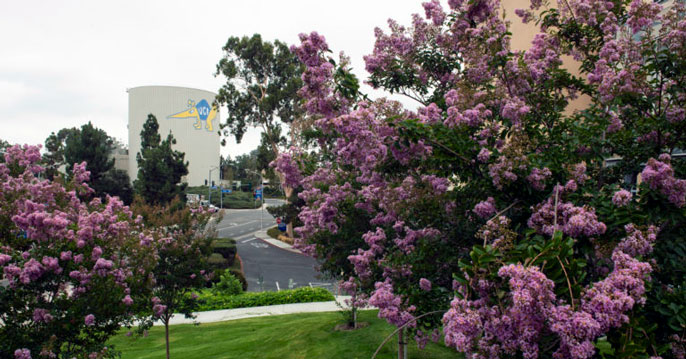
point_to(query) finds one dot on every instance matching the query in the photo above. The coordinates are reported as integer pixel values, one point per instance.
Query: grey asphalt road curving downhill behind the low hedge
(275, 268)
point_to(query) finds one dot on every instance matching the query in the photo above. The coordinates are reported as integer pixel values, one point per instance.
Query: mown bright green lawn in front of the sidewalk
(309, 335)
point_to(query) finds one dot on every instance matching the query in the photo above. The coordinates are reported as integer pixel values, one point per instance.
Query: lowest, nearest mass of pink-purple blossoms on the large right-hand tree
(491, 331)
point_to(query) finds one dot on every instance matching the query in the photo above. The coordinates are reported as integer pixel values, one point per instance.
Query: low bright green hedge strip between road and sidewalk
(213, 301)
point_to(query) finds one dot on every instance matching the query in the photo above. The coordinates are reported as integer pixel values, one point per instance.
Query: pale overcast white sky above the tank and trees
(64, 63)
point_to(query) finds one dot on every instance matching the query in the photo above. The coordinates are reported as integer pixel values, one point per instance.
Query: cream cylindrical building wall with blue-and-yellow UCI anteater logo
(189, 115)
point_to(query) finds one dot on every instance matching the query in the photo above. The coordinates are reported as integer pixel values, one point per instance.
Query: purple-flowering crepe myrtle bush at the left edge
(76, 271)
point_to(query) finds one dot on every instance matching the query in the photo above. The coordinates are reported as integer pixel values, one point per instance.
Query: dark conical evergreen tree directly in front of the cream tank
(160, 168)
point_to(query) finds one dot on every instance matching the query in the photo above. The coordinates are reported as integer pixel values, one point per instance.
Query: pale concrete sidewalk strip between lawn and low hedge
(241, 313)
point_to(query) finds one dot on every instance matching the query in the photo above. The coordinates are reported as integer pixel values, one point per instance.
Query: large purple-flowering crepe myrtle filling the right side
(491, 211)
